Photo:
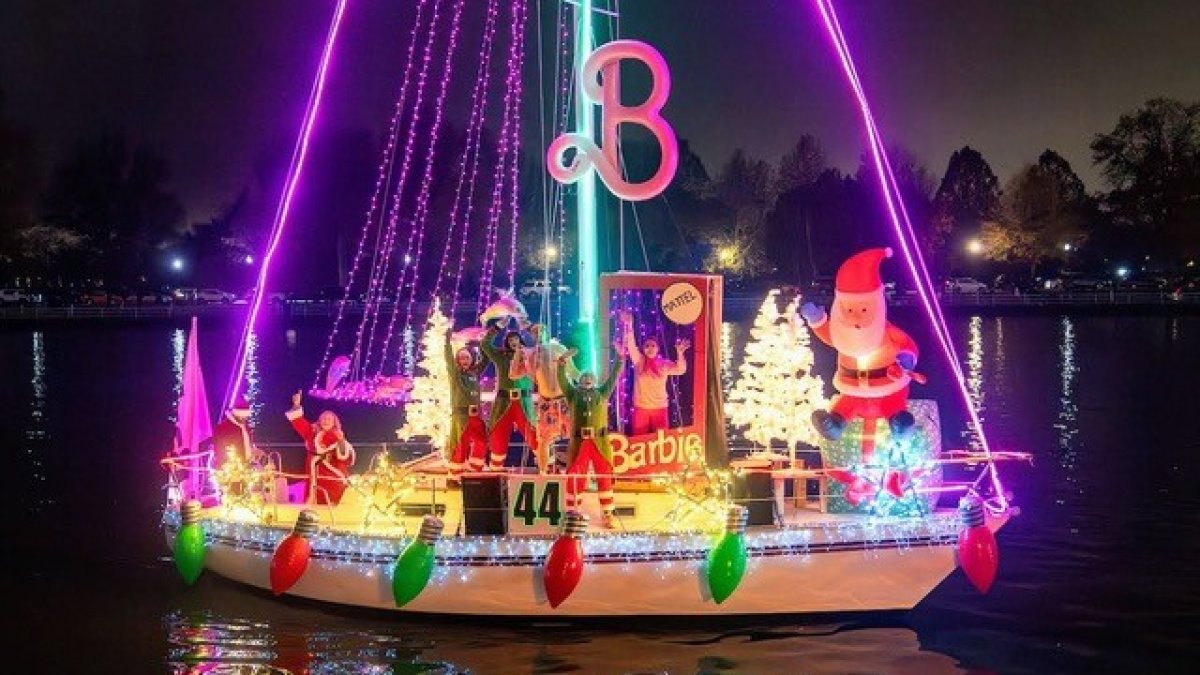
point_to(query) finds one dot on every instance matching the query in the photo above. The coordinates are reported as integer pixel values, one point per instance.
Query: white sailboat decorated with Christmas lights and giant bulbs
(874, 518)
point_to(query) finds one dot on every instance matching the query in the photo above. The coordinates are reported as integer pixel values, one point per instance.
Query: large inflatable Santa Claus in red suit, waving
(875, 359)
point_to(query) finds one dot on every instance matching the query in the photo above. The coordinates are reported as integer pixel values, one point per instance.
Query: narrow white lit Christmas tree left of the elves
(428, 411)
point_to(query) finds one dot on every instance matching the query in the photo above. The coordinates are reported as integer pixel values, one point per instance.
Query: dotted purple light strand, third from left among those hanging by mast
(421, 218)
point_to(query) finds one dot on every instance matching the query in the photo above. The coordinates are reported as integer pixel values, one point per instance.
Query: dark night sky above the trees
(212, 85)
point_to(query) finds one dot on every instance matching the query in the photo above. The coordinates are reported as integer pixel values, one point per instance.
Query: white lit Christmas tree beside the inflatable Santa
(777, 390)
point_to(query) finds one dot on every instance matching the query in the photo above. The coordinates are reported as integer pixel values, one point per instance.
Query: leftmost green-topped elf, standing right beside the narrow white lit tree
(467, 445)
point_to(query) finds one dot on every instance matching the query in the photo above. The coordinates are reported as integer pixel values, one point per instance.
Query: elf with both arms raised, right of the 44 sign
(590, 451)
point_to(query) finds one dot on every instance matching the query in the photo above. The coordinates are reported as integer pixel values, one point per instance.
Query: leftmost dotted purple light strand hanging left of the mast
(383, 180)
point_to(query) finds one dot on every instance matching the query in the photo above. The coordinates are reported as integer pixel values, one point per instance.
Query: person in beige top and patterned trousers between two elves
(541, 363)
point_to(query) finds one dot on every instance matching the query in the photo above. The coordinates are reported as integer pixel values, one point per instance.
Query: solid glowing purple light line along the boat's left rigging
(285, 207)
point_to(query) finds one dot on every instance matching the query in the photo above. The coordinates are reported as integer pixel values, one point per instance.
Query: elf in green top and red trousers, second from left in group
(513, 408)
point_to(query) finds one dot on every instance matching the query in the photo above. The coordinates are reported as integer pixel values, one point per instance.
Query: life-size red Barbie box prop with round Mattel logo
(668, 308)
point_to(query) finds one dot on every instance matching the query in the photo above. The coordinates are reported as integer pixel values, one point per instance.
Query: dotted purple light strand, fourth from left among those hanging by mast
(469, 168)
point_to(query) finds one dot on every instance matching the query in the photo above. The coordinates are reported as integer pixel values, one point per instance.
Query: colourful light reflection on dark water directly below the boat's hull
(211, 643)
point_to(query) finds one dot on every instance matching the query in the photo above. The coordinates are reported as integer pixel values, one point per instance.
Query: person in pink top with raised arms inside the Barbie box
(651, 373)
